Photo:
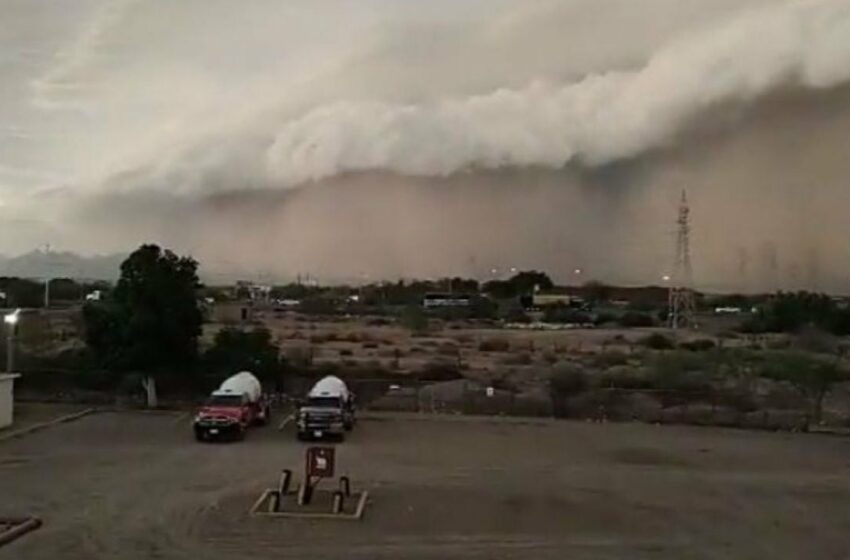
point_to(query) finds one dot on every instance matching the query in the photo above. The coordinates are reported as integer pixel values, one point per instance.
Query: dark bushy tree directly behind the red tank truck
(236, 350)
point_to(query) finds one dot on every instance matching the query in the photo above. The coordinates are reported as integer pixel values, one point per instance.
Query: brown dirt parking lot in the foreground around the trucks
(131, 485)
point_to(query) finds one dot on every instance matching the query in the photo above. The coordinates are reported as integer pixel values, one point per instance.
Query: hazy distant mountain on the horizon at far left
(41, 264)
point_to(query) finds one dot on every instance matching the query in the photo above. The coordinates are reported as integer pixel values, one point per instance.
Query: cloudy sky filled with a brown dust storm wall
(398, 138)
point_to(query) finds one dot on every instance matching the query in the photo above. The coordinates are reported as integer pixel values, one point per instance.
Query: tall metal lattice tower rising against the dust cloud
(681, 304)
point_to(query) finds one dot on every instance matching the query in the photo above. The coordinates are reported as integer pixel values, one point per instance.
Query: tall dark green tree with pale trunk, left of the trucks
(151, 322)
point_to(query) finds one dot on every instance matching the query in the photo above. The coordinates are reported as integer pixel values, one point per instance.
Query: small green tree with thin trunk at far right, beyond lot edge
(811, 374)
